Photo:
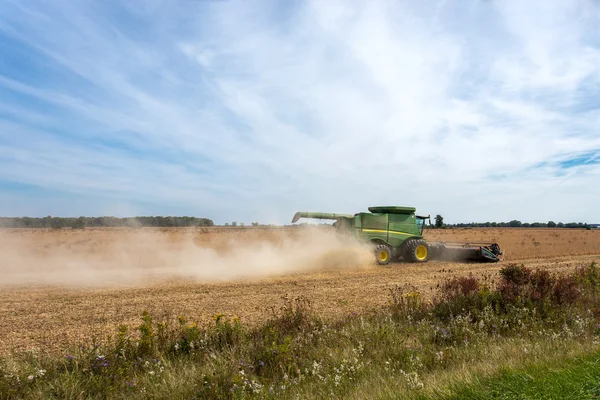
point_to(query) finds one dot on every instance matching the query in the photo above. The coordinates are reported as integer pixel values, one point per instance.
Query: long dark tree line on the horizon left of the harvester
(98, 222)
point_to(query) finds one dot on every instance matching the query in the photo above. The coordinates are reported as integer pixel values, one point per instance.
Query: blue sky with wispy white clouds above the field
(253, 110)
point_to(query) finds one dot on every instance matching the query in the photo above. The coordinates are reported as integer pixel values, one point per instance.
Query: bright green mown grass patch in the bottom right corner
(577, 378)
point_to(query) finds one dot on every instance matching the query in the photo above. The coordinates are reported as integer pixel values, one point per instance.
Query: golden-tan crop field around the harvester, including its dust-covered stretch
(59, 287)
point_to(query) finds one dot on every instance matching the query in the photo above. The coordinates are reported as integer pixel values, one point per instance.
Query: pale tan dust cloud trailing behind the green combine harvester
(126, 257)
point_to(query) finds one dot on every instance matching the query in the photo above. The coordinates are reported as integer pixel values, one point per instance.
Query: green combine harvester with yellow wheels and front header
(397, 233)
